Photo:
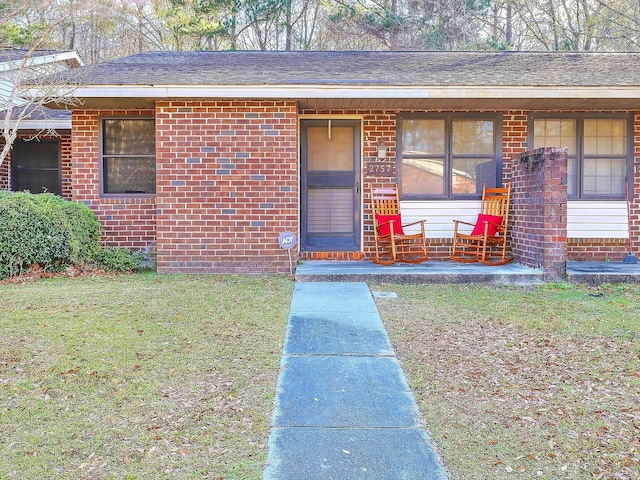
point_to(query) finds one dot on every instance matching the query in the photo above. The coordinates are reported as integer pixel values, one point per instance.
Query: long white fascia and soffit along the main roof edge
(440, 96)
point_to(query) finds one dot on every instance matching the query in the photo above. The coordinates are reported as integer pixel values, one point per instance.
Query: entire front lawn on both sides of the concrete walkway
(147, 376)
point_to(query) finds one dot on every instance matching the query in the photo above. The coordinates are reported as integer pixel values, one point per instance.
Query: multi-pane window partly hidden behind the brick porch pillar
(598, 152)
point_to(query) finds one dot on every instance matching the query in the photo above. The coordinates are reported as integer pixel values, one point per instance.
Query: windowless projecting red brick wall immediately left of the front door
(227, 185)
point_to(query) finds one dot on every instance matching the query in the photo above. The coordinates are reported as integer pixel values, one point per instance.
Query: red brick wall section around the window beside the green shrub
(127, 222)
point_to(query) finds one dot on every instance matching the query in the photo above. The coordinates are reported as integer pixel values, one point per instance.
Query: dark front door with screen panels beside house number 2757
(330, 195)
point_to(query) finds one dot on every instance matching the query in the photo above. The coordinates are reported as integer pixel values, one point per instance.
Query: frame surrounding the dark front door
(359, 175)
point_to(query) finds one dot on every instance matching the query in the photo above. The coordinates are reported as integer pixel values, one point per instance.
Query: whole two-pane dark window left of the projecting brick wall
(128, 156)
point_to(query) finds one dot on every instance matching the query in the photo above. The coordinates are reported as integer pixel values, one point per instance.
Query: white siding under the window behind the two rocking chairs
(439, 215)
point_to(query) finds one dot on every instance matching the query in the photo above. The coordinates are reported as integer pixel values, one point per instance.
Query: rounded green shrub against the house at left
(44, 230)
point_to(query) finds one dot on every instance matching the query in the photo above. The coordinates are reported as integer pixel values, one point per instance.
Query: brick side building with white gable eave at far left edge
(42, 164)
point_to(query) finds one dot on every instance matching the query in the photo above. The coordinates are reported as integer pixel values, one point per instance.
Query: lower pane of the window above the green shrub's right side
(129, 175)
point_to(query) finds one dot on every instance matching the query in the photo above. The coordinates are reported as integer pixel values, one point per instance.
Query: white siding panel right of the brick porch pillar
(597, 220)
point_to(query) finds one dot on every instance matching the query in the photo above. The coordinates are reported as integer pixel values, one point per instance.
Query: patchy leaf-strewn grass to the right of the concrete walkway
(519, 383)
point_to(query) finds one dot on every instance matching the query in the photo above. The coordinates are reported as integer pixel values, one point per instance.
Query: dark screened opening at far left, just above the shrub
(35, 166)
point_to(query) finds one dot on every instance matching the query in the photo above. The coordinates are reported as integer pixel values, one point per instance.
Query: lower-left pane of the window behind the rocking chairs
(423, 176)
